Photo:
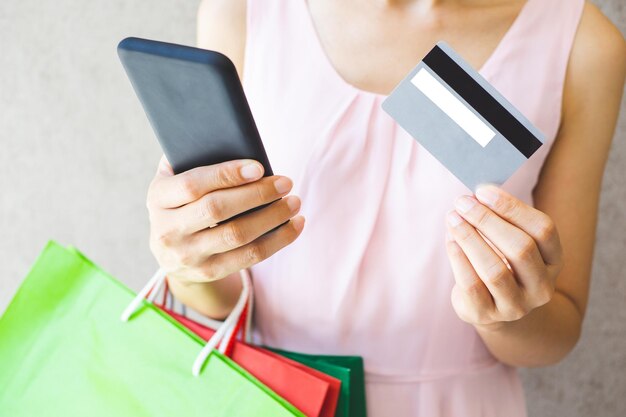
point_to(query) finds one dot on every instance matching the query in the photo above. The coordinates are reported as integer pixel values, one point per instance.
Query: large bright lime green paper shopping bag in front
(65, 352)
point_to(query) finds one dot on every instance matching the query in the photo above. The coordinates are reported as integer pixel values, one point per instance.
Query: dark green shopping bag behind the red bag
(348, 369)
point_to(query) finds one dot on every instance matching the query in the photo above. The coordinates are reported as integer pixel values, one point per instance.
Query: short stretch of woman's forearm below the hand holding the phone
(213, 299)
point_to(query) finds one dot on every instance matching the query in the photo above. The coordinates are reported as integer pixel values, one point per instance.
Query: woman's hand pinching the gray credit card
(505, 280)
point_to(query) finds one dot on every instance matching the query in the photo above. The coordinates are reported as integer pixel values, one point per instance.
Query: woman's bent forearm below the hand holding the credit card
(543, 337)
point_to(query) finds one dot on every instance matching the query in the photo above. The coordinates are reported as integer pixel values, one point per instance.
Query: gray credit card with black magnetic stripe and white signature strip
(462, 120)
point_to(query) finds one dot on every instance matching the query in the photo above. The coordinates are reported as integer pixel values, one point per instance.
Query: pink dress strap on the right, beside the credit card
(534, 59)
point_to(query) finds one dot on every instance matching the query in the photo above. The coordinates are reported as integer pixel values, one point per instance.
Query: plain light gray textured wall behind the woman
(77, 155)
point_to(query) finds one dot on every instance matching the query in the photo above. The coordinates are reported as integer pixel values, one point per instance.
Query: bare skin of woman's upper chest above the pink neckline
(372, 48)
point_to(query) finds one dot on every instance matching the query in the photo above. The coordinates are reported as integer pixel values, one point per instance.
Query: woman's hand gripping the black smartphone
(184, 207)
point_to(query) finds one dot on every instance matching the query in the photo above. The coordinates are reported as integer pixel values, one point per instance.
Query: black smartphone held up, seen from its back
(195, 104)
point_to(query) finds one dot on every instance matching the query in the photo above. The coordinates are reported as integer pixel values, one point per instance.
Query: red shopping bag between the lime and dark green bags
(311, 391)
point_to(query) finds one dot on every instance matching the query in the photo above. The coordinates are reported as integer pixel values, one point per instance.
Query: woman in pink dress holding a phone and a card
(373, 274)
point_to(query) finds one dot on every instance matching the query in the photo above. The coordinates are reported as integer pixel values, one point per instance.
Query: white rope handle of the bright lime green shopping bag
(224, 332)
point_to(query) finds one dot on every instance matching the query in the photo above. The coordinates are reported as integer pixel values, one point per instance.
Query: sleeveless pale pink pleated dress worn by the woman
(369, 275)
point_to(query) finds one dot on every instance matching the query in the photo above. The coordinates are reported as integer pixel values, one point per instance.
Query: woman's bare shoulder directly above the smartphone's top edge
(221, 26)
